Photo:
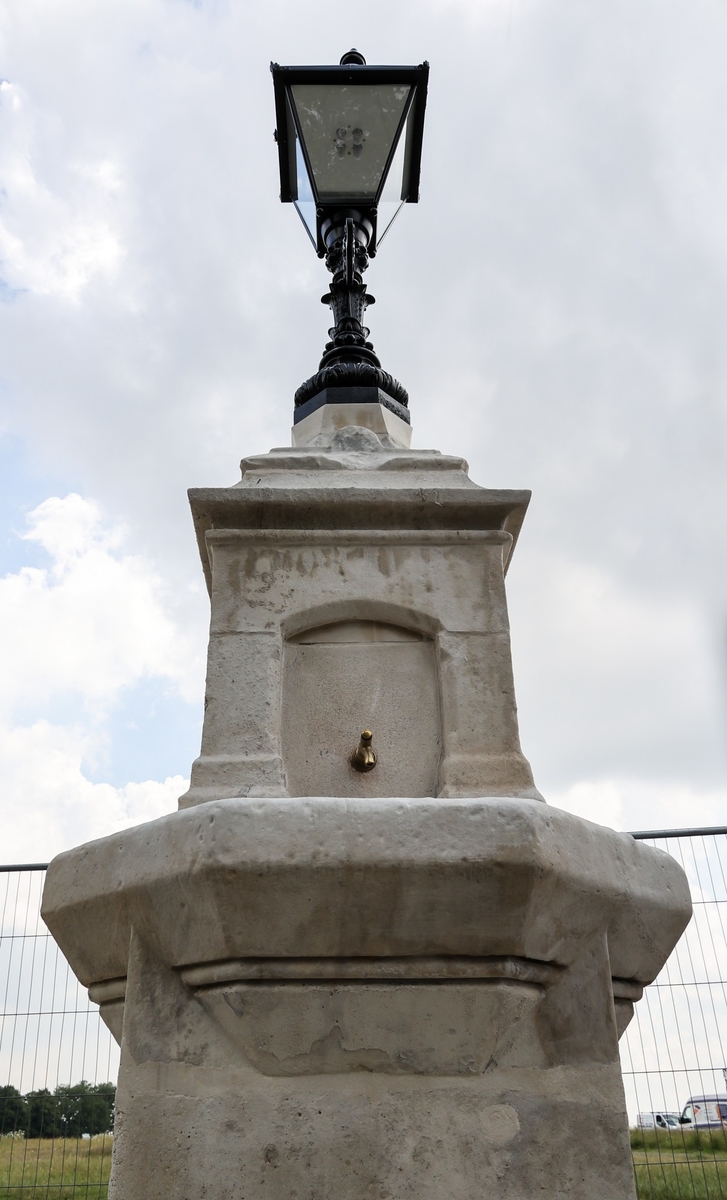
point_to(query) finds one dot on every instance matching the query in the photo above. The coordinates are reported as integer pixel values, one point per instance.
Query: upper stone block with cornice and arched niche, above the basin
(358, 586)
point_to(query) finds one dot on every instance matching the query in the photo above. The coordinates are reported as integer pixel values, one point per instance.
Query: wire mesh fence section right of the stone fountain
(675, 1052)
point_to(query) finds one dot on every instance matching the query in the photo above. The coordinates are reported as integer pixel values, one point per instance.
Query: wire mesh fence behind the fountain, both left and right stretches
(59, 1063)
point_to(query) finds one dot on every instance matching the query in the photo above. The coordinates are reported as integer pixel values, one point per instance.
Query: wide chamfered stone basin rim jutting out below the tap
(376, 878)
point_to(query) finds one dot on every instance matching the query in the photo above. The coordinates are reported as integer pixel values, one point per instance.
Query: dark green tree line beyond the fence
(70, 1112)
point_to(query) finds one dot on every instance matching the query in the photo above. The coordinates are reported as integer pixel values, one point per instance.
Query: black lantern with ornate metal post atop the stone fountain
(350, 145)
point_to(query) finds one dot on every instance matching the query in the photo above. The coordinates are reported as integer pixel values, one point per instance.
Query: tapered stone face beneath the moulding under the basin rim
(392, 1028)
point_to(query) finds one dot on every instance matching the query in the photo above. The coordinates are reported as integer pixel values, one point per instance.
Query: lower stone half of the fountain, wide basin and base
(369, 998)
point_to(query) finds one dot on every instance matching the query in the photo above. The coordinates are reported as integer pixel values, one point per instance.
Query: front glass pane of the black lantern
(349, 131)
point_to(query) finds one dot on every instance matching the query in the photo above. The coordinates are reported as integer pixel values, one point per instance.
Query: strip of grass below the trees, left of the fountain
(56, 1169)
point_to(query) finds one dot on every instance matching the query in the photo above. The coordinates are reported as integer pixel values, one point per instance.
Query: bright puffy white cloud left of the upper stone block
(92, 623)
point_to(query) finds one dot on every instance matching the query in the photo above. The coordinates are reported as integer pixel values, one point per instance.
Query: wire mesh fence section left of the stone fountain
(58, 1060)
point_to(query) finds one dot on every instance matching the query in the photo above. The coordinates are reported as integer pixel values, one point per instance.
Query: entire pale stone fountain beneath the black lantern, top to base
(323, 989)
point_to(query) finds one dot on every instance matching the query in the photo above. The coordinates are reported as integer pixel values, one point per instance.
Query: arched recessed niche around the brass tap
(349, 676)
